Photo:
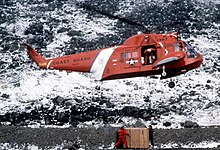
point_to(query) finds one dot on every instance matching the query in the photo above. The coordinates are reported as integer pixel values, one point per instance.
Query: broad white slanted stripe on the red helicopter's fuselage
(100, 62)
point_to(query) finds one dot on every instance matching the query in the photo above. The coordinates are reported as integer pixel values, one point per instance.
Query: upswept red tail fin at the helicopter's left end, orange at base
(36, 57)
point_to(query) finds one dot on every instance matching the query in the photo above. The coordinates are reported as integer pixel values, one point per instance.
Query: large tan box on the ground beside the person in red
(139, 138)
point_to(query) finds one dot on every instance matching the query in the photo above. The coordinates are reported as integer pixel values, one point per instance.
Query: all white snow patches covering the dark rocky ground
(194, 98)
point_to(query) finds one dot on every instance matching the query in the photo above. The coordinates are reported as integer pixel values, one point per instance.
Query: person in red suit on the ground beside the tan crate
(121, 139)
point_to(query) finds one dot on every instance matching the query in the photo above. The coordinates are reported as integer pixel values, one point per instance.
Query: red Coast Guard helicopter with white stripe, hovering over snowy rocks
(140, 55)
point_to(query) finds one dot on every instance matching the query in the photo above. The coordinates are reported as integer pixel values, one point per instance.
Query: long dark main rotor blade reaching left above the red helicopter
(91, 8)
